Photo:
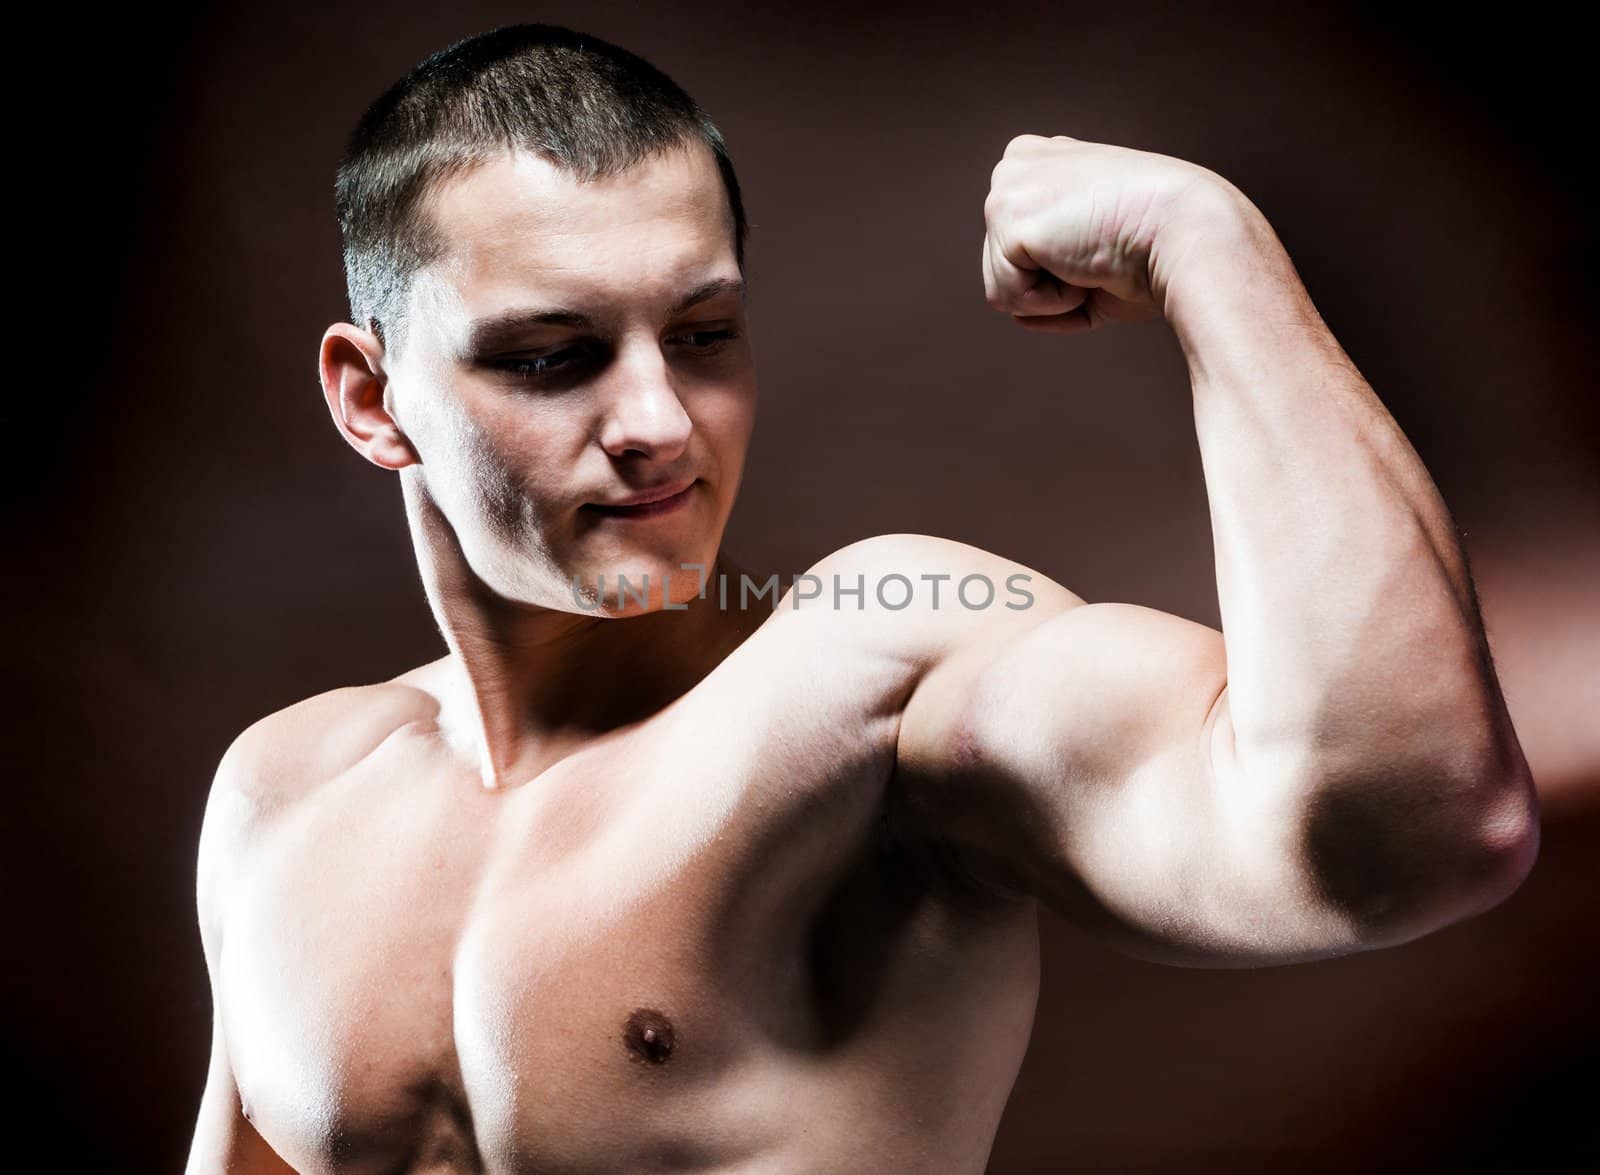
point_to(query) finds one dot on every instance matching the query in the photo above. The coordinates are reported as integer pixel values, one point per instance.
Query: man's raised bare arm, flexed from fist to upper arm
(1334, 771)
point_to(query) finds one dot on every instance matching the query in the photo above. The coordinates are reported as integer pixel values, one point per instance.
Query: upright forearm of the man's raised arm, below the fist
(1356, 654)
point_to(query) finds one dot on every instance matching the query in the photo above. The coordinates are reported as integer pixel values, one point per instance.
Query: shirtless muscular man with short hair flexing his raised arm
(662, 883)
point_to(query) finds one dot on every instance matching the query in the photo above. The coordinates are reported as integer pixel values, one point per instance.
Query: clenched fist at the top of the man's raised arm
(1081, 235)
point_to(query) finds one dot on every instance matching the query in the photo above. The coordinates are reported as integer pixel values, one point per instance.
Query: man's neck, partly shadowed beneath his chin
(524, 686)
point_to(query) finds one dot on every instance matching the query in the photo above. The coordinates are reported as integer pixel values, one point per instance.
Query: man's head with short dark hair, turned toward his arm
(545, 251)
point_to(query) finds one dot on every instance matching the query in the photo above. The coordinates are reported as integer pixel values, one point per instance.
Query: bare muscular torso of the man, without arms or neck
(686, 947)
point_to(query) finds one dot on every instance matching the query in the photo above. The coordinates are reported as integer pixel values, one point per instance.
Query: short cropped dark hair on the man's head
(585, 105)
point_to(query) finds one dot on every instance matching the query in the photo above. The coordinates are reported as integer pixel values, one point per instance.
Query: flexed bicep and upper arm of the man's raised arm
(1090, 764)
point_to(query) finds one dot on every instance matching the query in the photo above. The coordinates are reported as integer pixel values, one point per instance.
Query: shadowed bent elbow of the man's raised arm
(1404, 857)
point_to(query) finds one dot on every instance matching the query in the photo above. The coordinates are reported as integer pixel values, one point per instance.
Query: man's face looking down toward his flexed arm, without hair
(575, 348)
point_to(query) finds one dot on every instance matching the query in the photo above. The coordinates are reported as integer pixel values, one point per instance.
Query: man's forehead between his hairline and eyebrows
(521, 230)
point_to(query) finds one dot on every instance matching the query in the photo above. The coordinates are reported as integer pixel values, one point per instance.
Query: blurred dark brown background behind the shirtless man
(196, 548)
